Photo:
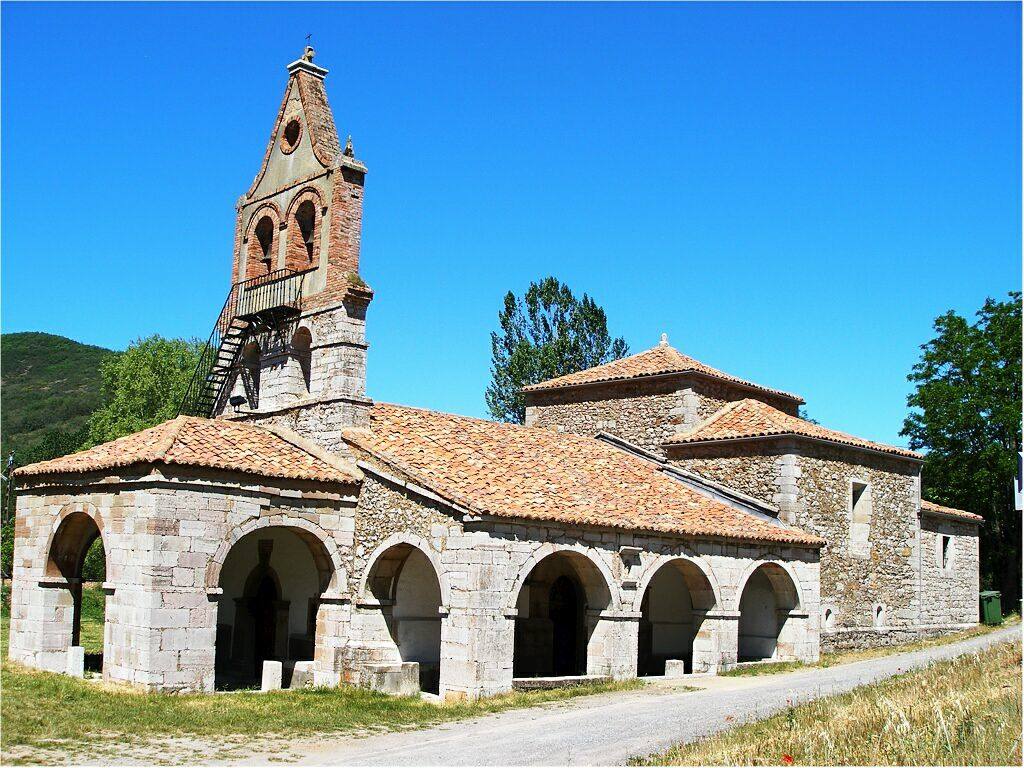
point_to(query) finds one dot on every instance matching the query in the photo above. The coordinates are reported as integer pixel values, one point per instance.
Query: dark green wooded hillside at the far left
(48, 382)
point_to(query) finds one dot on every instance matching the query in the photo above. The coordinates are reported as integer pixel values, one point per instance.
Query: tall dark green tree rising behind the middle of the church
(548, 333)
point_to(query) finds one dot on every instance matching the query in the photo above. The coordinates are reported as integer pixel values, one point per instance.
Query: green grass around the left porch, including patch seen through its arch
(57, 714)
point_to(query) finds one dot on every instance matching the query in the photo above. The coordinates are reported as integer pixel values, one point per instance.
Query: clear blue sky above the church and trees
(793, 193)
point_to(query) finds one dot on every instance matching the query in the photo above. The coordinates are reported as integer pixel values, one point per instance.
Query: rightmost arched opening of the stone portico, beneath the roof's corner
(769, 598)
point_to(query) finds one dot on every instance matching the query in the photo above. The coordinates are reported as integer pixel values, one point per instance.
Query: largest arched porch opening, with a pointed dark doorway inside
(273, 580)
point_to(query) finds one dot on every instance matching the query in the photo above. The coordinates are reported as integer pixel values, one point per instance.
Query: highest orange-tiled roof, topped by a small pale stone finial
(657, 361)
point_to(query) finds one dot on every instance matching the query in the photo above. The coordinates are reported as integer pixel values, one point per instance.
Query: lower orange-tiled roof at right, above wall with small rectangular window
(755, 419)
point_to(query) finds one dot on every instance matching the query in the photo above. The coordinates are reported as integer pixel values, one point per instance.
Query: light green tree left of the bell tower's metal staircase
(143, 387)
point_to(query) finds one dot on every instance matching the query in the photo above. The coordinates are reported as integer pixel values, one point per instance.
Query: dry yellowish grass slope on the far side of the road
(963, 712)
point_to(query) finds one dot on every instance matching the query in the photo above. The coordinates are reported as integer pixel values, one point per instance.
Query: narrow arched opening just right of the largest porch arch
(407, 593)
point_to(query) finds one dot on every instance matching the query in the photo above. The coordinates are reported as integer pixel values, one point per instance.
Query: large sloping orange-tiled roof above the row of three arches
(539, 475)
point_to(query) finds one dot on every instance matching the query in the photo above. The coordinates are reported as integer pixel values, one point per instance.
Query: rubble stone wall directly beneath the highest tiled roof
(646, 412)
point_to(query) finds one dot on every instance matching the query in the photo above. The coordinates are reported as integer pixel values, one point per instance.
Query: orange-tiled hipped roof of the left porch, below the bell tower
(206, 443)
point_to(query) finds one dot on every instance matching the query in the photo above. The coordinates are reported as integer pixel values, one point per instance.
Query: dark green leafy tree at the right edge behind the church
(967, 415)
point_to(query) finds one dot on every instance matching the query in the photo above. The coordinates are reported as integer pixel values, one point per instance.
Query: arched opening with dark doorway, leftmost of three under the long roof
(558, 613)
